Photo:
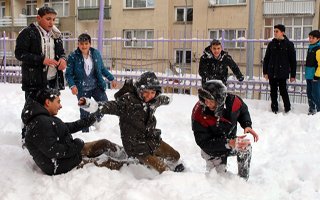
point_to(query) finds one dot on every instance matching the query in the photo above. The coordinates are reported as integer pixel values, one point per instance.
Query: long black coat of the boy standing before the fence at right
(280, 59)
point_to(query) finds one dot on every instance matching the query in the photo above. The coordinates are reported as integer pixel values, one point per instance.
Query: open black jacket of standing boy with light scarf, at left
(29, 51)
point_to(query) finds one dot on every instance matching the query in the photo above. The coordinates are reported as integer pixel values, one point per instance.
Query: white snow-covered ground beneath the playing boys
(285, 162)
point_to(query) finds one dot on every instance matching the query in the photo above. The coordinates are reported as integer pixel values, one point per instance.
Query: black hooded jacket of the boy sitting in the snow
(49, 139)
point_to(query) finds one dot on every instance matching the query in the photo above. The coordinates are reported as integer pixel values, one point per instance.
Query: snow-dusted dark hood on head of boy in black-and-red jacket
(215, 90)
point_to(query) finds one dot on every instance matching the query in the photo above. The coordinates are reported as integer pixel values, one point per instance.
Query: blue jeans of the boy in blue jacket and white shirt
(98, 95)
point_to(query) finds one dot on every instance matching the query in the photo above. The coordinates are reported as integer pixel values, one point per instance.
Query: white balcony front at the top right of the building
(272, 8)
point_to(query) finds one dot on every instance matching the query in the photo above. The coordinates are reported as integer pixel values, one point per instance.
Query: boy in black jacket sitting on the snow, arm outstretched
(49, 141)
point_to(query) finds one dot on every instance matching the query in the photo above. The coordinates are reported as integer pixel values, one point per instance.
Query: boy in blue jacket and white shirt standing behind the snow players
(85, 72)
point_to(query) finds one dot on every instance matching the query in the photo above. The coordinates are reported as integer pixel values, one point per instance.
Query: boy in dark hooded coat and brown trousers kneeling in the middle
(135, 105)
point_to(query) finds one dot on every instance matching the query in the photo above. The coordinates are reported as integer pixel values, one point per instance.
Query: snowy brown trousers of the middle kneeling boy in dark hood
(156, 160)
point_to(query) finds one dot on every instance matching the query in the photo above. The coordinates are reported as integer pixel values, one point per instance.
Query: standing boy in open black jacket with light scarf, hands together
(39, 47)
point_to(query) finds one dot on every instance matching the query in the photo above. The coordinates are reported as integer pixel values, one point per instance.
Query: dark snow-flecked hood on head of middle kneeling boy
(148, 81)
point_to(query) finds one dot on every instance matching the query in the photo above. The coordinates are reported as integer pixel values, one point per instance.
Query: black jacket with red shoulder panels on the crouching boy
(212, 135)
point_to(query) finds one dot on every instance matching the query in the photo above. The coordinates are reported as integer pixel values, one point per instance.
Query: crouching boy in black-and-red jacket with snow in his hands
(214, 124)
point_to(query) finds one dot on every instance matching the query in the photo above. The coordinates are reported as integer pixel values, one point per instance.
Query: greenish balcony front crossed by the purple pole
(92, 13)
